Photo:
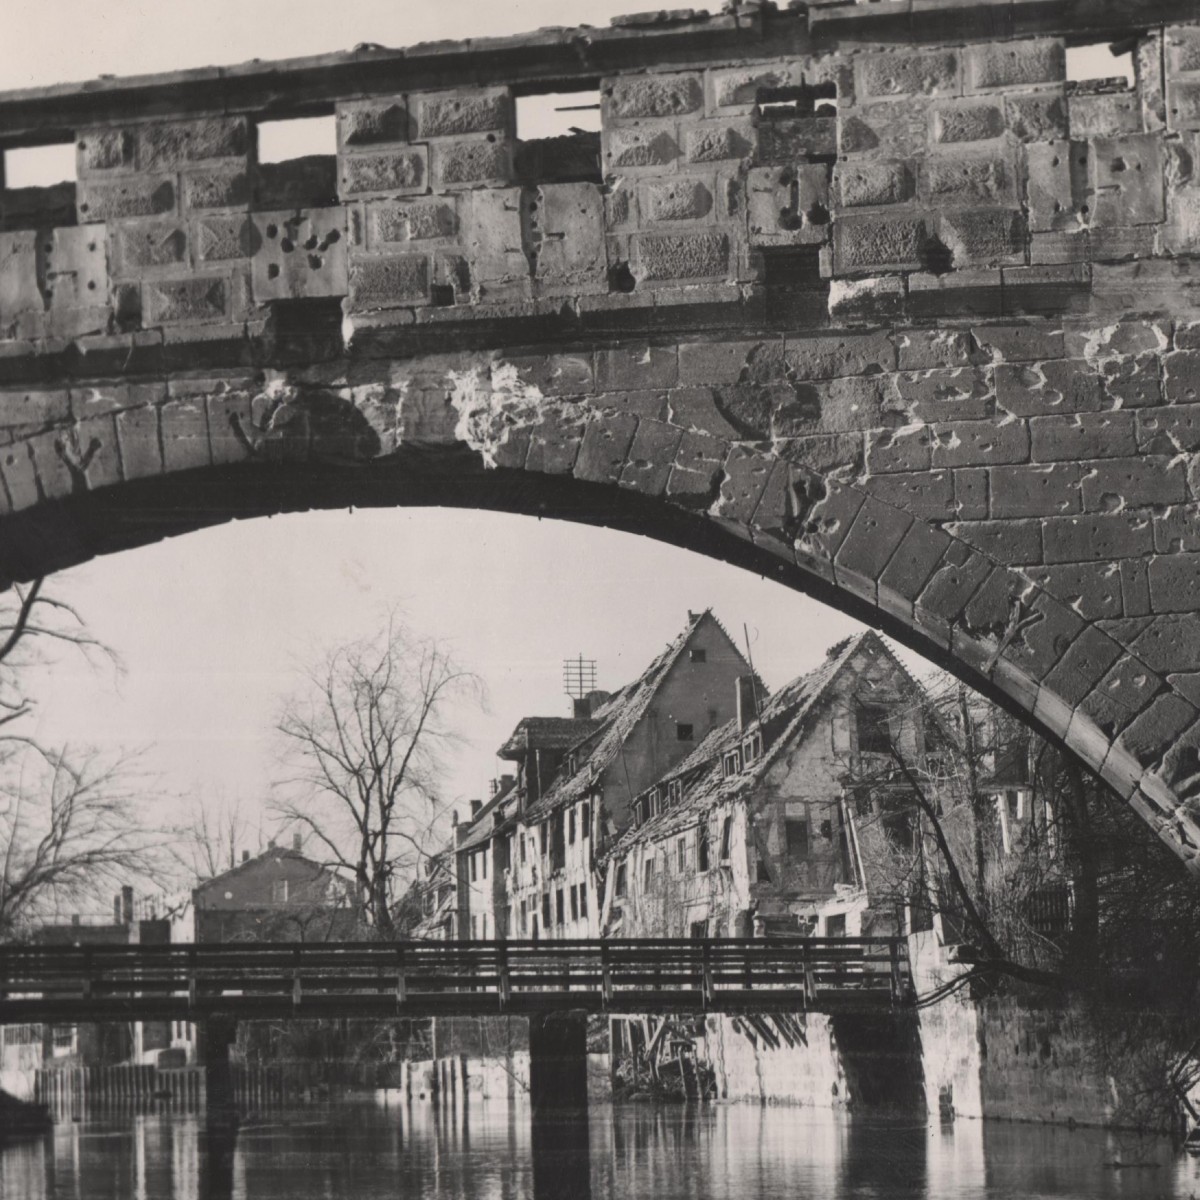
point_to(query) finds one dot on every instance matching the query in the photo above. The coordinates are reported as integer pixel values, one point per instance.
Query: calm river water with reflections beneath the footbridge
(364, 1150)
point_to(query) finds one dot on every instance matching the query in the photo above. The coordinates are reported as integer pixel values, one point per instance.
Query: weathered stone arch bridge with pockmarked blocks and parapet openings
(868, 296)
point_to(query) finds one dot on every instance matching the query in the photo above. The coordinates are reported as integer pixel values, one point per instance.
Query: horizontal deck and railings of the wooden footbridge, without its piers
(376, 980)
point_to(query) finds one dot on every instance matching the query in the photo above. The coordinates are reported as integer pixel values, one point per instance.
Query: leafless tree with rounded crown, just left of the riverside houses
(367, 740)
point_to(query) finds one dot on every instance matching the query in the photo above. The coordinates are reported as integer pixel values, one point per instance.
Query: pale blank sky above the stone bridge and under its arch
(212, 625)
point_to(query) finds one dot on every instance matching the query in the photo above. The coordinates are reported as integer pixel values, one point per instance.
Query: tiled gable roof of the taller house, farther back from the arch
(615, 723)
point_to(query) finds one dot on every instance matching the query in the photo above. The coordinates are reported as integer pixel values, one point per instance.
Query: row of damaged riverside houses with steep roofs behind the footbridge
(689, 803)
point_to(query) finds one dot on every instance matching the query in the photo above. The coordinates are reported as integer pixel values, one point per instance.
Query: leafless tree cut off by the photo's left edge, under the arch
(69, 823)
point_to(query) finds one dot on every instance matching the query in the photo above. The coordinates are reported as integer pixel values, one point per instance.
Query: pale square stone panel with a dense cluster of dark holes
(299, 255)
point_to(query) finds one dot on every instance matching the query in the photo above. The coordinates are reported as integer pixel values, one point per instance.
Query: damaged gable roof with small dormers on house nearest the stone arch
(783, 718)
